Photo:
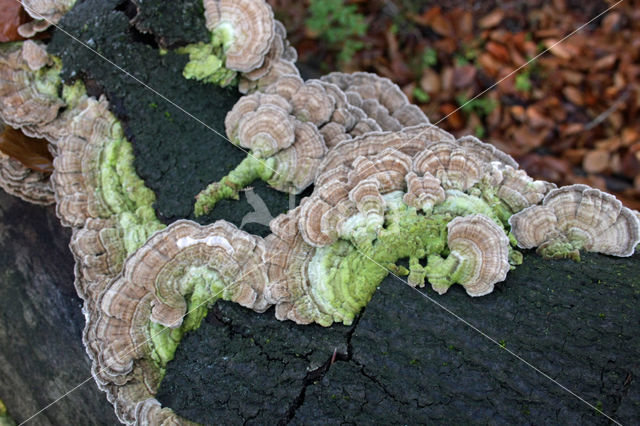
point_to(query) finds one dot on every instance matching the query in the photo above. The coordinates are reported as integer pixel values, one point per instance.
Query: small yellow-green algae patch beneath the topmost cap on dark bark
(207, 60)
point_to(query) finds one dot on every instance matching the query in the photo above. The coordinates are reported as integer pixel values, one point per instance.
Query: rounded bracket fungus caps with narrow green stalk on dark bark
(286, 128)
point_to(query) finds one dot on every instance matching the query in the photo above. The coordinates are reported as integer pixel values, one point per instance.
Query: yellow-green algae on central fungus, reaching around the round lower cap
(343, 276)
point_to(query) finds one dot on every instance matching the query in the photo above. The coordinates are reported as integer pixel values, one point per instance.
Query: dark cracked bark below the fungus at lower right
(408, 361)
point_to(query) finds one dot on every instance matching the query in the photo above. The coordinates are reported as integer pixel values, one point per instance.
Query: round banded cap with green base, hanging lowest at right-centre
(479, 256)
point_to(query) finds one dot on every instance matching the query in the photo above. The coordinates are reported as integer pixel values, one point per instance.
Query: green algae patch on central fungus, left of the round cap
(343, 277)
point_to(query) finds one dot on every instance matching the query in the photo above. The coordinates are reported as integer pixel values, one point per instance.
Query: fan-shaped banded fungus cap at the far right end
(577, 217)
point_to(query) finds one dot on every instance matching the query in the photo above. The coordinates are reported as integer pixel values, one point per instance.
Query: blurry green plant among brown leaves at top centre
(339, 24)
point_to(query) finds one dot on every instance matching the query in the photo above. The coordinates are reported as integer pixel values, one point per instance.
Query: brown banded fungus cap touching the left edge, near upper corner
(25, 99)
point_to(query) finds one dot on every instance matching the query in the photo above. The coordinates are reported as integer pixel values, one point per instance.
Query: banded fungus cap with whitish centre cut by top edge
(248, 28)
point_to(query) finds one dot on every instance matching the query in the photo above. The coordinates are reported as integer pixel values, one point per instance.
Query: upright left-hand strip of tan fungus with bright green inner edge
(97, 160)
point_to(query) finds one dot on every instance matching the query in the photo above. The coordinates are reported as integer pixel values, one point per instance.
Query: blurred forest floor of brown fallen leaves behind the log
(570, 116)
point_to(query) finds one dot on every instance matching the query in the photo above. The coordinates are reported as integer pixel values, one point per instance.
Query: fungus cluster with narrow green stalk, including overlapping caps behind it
(289, 125)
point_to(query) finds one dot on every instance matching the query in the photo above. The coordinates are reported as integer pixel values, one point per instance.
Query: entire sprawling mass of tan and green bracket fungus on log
(388, 186)
